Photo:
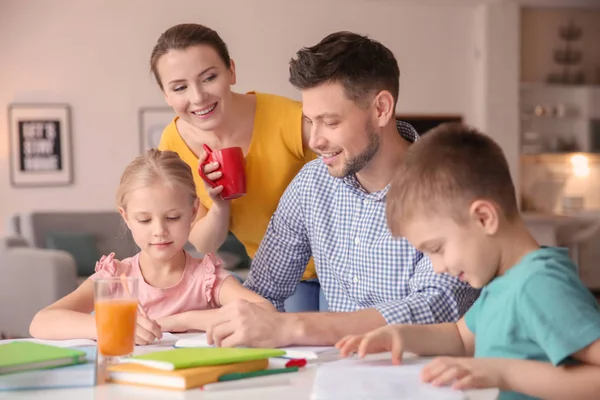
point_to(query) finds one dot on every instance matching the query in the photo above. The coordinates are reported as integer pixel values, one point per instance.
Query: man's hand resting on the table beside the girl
(242, 323)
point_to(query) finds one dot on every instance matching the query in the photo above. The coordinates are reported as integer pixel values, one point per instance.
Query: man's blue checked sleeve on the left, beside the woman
(285, 249)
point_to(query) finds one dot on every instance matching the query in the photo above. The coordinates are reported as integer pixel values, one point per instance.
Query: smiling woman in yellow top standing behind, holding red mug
(193, 69)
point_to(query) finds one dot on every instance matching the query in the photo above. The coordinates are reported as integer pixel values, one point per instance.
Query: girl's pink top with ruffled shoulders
(198, 288)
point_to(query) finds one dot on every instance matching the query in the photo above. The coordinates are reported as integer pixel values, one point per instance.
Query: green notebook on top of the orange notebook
(170, 360)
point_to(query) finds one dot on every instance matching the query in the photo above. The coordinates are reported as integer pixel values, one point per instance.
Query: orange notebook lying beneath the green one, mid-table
(179, 379)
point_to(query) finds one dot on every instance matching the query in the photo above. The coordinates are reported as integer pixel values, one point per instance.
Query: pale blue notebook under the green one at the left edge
(80, 375)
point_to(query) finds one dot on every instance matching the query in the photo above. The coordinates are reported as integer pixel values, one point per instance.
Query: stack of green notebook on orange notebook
(186, 368)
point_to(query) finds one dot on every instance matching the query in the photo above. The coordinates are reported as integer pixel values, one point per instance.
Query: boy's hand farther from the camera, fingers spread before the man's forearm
(387, 338)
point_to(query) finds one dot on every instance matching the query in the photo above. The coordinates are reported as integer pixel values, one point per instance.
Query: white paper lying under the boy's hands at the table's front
(364, 379)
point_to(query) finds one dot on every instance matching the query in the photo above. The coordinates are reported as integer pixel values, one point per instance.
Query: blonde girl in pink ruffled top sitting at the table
(157, 200)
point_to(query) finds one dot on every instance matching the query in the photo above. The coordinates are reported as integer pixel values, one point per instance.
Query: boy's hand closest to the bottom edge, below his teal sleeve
(466, 373)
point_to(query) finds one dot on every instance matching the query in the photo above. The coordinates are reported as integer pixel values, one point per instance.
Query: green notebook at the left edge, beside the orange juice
(25, 356)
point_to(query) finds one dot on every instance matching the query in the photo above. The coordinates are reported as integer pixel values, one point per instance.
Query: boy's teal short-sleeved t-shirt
(538, 310)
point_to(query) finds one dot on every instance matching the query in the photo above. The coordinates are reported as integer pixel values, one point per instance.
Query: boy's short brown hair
(451, 166)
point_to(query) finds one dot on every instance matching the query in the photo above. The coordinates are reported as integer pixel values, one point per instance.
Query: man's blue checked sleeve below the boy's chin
(433, 298)
